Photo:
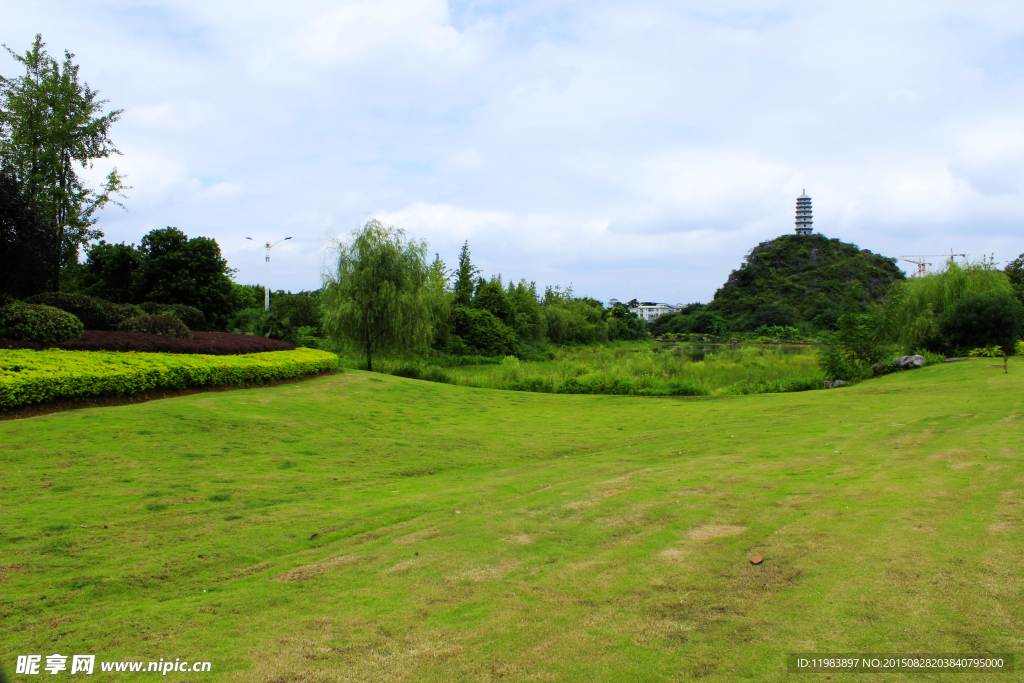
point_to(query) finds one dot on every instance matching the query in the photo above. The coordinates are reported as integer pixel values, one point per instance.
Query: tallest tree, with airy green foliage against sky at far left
(51, 123)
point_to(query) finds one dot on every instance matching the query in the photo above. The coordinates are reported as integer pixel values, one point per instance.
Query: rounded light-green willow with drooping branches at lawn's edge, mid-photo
(378, 296)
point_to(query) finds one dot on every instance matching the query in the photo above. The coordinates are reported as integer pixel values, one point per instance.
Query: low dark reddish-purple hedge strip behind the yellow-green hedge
(212, 344)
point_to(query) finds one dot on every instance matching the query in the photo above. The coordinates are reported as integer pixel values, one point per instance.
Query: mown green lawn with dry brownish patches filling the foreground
(588, 547)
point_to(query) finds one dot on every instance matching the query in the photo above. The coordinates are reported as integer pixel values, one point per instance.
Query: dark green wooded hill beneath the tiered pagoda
(798, 279)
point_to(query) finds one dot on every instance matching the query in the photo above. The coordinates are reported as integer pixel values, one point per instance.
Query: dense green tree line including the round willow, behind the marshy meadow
(385, 296)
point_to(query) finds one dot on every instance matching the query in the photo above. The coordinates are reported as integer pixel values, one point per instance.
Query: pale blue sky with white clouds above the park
(629, 149)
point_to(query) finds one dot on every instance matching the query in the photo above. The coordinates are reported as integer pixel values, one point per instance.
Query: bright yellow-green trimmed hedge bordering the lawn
(35, 377)
